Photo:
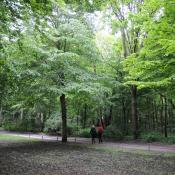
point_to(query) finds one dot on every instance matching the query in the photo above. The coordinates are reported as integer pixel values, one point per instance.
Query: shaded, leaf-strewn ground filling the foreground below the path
(54, 158)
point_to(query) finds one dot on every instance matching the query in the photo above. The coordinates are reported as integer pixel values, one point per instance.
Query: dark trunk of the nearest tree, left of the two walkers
(64, 117)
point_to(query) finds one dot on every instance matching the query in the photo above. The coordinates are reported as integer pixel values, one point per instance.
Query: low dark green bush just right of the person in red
(112, 132)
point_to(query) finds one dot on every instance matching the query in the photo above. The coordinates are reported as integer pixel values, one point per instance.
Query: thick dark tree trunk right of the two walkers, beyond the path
(134, 110)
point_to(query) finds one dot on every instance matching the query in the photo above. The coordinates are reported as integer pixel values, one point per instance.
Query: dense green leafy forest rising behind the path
(68, 64)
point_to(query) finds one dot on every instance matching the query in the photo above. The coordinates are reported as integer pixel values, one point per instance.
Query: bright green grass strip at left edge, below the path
(12, 138)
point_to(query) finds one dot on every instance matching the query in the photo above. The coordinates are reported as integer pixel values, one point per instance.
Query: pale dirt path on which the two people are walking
(120, 145)
